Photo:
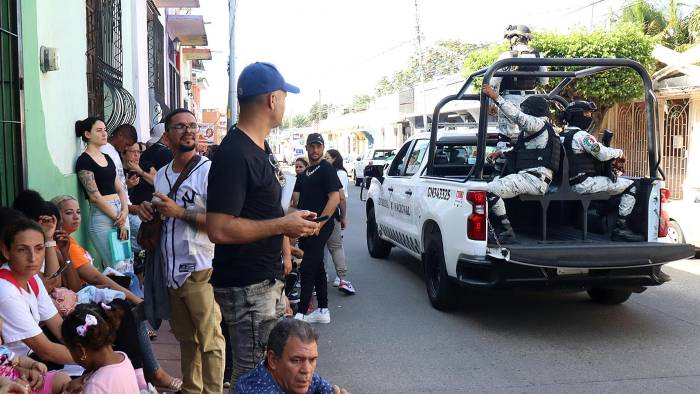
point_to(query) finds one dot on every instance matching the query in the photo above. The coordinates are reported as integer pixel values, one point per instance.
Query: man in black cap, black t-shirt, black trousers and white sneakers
(316, 190)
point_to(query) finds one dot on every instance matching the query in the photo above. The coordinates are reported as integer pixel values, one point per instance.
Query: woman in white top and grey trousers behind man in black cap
(335, 242)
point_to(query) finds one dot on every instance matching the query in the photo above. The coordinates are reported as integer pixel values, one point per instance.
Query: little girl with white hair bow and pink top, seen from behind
(89, 332)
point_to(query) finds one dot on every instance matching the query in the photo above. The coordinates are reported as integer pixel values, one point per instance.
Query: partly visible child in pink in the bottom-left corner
(31, 374)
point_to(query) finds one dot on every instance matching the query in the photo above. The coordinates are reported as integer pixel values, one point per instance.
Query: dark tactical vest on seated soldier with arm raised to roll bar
(523, 158)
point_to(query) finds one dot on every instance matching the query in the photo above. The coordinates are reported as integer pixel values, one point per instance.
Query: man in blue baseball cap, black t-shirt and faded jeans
(246, 221)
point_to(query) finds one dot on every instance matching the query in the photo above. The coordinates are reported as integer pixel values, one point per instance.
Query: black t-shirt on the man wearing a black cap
(314, 184)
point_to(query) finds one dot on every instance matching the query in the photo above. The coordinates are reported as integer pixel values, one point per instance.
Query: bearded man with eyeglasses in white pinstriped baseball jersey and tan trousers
(186, 255)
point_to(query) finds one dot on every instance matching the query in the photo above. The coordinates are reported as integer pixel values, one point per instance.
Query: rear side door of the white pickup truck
(406, 197)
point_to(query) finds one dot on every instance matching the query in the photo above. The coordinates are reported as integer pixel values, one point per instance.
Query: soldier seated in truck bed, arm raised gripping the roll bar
(532, 162)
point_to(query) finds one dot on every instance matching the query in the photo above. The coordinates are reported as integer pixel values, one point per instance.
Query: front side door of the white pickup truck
(388, 211)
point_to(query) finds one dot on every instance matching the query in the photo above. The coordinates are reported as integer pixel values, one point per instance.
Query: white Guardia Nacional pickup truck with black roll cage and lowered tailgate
(431, 202)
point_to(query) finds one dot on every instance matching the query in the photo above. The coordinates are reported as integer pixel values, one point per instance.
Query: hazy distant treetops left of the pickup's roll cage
(443, 58)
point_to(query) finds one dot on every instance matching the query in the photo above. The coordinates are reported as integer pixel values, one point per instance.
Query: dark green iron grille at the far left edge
(11, 136)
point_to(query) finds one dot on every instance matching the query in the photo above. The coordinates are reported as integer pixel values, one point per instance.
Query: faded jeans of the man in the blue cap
(250, 313)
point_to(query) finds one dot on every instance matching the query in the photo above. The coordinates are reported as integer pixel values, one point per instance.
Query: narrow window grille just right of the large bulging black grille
(156, 71)
